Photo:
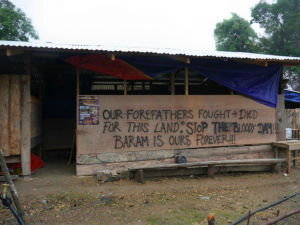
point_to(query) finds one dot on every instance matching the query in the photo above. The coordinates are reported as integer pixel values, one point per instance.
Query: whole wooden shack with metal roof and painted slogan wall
(131, 107)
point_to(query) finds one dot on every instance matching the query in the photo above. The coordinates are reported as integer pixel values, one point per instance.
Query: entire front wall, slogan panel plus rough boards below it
(97, 149)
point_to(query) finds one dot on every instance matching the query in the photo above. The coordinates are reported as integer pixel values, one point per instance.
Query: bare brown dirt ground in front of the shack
(54, 195)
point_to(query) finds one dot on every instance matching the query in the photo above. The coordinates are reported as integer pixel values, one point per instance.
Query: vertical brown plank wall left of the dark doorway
(11, 113)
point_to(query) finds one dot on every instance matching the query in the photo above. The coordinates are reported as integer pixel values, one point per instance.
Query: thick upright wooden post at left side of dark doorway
(25, 119)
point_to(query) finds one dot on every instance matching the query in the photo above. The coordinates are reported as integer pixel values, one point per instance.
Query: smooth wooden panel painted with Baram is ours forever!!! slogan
(136, 123)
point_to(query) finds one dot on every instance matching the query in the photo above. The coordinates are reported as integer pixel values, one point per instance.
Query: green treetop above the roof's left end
(14, 25)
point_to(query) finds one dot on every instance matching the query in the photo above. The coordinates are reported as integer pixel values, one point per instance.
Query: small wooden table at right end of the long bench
(291, 145)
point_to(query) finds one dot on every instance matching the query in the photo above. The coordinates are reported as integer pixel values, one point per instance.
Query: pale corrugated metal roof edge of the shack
(167, 51)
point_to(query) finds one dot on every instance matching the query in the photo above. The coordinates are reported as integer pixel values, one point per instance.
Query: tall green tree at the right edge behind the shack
(281, 21)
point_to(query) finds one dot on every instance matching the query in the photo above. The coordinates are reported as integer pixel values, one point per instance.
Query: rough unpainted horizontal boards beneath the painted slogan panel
(91, 163)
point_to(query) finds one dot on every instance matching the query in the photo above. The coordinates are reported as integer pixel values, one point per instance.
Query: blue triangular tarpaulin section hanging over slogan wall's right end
(257, 82)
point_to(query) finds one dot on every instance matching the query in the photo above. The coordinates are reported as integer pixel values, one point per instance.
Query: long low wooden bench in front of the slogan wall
(275, 166)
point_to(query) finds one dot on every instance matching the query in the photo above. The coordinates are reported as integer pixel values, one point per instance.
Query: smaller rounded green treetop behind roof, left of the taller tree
(236, 35)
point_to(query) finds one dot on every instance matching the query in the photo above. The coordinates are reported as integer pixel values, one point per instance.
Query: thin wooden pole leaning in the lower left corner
(12, 188)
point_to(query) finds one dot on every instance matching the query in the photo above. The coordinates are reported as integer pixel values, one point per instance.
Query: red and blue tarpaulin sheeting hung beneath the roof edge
(257, 82)
